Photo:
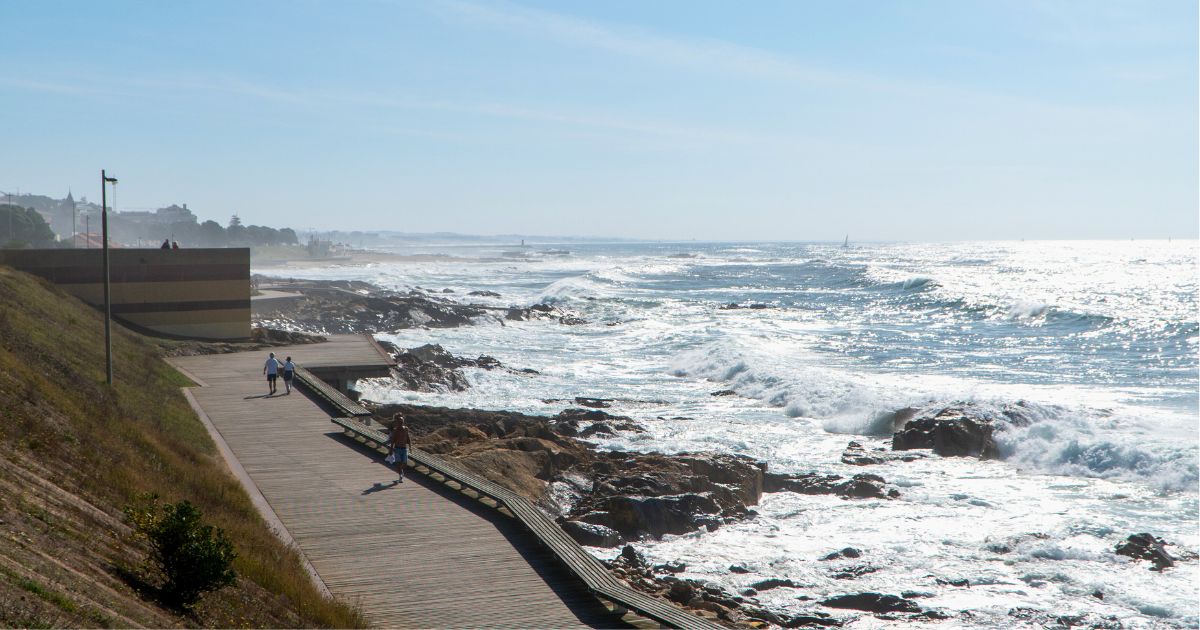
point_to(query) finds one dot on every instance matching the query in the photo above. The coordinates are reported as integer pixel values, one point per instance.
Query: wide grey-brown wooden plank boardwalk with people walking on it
(410, 555)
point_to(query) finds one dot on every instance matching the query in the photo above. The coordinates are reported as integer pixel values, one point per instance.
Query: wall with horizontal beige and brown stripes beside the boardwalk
(182, 293)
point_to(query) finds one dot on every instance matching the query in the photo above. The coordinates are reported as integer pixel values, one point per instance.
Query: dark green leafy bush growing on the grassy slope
(193, 556)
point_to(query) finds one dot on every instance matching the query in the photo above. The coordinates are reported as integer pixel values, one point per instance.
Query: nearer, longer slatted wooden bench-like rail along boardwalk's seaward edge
(581, 563)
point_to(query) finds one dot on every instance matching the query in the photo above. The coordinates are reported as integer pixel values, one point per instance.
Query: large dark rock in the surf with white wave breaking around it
(950, 434)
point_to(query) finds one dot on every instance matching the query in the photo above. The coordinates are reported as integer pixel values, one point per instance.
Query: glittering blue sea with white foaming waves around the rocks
(1099, 340)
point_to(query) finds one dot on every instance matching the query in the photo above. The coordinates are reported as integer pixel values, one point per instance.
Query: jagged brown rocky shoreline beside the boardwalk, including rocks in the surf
(615, 500)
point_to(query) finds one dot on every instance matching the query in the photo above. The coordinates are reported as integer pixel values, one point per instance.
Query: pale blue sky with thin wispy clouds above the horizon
(671, 119)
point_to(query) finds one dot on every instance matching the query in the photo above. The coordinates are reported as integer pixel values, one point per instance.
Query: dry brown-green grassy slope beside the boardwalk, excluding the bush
(73, 453)
